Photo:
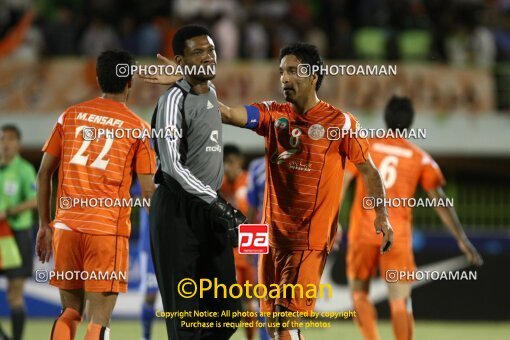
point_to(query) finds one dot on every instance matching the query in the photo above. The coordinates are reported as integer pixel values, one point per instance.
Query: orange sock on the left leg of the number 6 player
(366, 316)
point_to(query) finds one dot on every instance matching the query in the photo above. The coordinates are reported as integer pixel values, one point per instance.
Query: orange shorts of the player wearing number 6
(363, 259)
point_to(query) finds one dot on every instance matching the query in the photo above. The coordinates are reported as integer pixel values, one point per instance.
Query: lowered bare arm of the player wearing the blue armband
(375, 189)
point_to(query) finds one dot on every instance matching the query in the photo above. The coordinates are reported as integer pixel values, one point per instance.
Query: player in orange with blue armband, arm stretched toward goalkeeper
(305, 168)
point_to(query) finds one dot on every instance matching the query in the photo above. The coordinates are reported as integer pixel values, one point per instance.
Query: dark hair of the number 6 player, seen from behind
(399, 113)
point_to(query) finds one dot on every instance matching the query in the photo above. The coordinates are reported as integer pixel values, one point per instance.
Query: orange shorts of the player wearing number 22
(99, 262)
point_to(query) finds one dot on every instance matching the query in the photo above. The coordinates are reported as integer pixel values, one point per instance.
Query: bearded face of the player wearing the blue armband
(296, 84)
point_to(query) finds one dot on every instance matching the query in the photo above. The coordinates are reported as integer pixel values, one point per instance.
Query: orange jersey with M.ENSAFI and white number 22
(96, 172)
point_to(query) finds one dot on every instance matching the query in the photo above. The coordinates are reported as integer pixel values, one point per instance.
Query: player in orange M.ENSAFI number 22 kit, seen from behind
(85, 239)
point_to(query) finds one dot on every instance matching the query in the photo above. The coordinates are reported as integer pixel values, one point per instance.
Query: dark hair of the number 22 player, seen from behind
(109, 74)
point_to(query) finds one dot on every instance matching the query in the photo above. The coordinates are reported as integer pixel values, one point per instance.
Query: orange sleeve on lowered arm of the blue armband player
(353, 146)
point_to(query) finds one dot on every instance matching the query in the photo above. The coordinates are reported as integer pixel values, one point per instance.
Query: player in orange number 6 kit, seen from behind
(403, 166)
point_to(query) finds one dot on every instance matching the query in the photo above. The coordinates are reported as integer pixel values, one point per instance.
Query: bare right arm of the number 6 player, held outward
(449, 217)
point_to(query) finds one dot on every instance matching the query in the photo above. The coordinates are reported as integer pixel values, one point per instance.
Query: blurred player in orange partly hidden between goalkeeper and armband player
(234, 190)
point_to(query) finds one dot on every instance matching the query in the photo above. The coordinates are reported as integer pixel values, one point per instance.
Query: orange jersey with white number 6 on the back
(402, 166)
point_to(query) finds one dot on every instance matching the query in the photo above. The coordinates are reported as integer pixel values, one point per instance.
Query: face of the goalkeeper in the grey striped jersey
(199, 58)
